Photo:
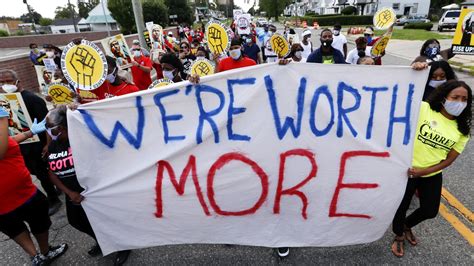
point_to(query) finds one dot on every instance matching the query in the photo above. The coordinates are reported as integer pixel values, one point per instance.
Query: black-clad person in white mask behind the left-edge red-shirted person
(32, 152)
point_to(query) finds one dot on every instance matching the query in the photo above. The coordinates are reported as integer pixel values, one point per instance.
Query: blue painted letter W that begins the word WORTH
(289, 121)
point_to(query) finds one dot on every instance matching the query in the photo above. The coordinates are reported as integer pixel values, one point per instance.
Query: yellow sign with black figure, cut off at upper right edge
(463, 43)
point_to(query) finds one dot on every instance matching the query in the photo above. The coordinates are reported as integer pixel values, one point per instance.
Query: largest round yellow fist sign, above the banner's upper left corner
(84, 65)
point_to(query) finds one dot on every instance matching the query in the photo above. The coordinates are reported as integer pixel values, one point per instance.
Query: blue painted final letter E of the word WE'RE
(236, 110)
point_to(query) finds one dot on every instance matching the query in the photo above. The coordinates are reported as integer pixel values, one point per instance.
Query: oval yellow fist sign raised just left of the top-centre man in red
(218, 37)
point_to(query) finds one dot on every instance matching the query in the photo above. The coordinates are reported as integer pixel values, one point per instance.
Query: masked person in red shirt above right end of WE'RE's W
(141, 68)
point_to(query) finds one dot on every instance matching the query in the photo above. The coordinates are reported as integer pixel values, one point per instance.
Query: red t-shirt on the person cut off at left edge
(16, 186)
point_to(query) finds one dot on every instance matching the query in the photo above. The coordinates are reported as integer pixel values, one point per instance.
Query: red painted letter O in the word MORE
(223, 160)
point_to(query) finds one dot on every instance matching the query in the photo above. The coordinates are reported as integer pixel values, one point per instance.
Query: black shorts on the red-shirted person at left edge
(34, 212)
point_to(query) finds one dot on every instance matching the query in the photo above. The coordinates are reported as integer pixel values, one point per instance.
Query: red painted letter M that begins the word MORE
(179, 186)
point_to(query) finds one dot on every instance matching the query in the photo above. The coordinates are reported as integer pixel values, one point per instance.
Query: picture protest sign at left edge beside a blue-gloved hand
(19, 120)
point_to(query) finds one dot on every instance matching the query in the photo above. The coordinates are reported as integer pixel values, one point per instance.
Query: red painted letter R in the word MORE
(294, 190)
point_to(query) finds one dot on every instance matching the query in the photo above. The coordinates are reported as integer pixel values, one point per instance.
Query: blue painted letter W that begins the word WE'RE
(135, 141)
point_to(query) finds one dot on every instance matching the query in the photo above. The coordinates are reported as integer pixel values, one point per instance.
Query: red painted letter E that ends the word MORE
(340, 185)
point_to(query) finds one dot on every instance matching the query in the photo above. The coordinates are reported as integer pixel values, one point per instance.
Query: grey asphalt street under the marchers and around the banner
(439, 241)
